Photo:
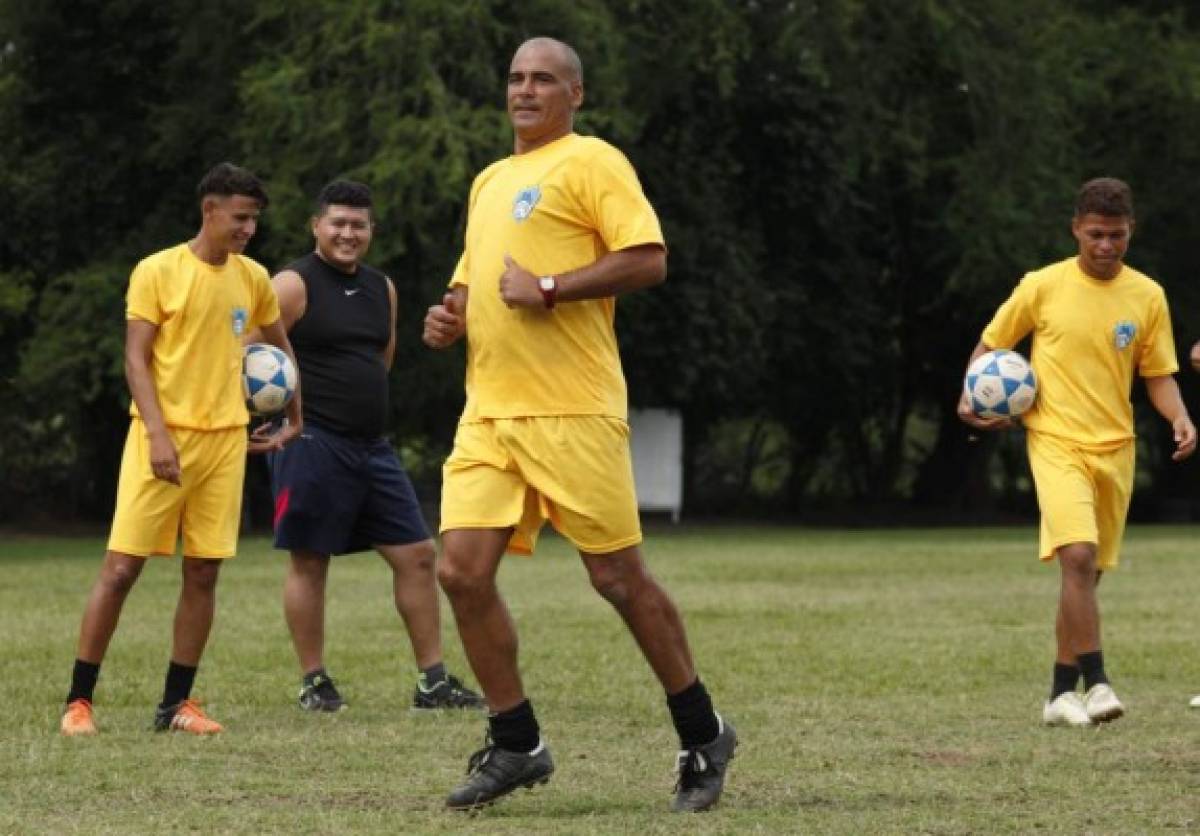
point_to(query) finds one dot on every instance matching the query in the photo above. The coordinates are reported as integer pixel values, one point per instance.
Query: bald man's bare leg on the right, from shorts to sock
(623, 580)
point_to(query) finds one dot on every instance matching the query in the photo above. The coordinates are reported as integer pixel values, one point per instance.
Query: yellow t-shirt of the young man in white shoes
(1090, 335)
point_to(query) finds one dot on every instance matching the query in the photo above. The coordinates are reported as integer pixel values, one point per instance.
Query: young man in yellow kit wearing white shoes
(1096, 323)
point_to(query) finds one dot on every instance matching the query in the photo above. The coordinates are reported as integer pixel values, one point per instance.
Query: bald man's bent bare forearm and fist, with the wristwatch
(613, 274)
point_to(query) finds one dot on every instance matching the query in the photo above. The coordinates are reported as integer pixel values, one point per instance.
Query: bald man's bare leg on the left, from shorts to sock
(467, 574)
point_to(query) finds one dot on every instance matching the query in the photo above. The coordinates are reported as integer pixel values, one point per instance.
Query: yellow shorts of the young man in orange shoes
(152, 513)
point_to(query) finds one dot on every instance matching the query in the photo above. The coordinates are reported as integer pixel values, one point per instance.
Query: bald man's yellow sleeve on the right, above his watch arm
(616, 203)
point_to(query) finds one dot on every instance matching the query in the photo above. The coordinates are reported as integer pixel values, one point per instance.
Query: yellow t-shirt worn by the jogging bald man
(555, 209)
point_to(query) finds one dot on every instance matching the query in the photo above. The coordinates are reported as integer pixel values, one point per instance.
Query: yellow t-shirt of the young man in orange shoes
(202, 312)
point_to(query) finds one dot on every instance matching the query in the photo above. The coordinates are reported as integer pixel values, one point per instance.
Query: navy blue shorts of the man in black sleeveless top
(337, 495)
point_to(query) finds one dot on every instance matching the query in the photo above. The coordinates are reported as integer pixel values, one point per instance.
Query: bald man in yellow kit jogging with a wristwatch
(555, 233)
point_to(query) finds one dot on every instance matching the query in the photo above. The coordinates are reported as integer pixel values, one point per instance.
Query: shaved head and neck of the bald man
(544, 93)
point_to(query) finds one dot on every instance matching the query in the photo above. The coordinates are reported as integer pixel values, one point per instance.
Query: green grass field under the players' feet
(881, 682)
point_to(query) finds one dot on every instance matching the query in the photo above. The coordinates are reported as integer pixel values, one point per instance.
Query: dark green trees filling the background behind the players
(848, 190)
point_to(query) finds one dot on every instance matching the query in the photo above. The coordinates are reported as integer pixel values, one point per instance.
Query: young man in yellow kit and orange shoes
(185, 456)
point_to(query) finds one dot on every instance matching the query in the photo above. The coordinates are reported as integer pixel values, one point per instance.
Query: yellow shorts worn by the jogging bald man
(574, 471)
